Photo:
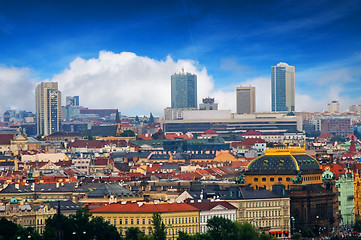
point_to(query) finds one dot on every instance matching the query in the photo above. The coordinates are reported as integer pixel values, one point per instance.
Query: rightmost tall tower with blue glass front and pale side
(283, 87)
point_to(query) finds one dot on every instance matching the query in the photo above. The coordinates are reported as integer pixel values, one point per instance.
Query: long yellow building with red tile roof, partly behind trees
(176, 217)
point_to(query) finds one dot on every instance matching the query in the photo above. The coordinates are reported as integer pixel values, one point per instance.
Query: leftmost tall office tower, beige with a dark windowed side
(48, 108)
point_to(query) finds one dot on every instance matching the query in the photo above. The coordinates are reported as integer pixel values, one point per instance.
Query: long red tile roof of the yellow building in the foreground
(145, 208)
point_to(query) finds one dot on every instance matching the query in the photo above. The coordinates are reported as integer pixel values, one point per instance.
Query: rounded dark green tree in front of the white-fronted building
(221, 228)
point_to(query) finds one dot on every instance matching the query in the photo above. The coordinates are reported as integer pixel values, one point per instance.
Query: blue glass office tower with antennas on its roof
(184, 90)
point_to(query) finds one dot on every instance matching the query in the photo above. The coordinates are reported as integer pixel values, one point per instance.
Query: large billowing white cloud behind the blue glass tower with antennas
(131, 83)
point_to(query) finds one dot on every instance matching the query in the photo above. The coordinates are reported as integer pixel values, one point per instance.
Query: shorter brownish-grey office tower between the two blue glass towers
(246, 99)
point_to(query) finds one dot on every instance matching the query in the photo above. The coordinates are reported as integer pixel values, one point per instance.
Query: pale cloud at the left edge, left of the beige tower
(17, 89)
